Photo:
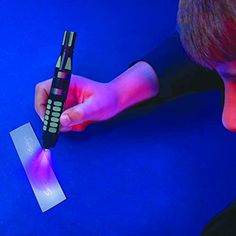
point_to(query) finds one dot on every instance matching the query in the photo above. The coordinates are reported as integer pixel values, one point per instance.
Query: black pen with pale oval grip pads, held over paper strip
(58, 91)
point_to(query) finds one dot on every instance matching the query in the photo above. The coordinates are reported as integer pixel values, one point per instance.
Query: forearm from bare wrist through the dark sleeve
(167, 72)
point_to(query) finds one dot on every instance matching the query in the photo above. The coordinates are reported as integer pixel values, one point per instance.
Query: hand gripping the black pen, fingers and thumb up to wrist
(88, 101)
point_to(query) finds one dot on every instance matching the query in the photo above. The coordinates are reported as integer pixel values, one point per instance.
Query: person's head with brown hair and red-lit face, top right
(208, 33)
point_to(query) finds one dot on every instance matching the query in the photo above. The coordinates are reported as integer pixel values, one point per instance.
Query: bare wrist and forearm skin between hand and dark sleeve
(135, 85)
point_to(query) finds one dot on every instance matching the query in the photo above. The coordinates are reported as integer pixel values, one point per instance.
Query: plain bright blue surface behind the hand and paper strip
(153, 170)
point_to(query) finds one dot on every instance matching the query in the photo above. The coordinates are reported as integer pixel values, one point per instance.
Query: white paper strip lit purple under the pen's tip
(38, 168)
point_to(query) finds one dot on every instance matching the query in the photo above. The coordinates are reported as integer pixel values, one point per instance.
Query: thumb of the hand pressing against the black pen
(77, 114)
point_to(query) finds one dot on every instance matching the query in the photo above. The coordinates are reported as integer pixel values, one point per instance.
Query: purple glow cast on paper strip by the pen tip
(40, 171)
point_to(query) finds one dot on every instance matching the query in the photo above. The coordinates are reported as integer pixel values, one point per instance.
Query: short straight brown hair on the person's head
(208, 30)
